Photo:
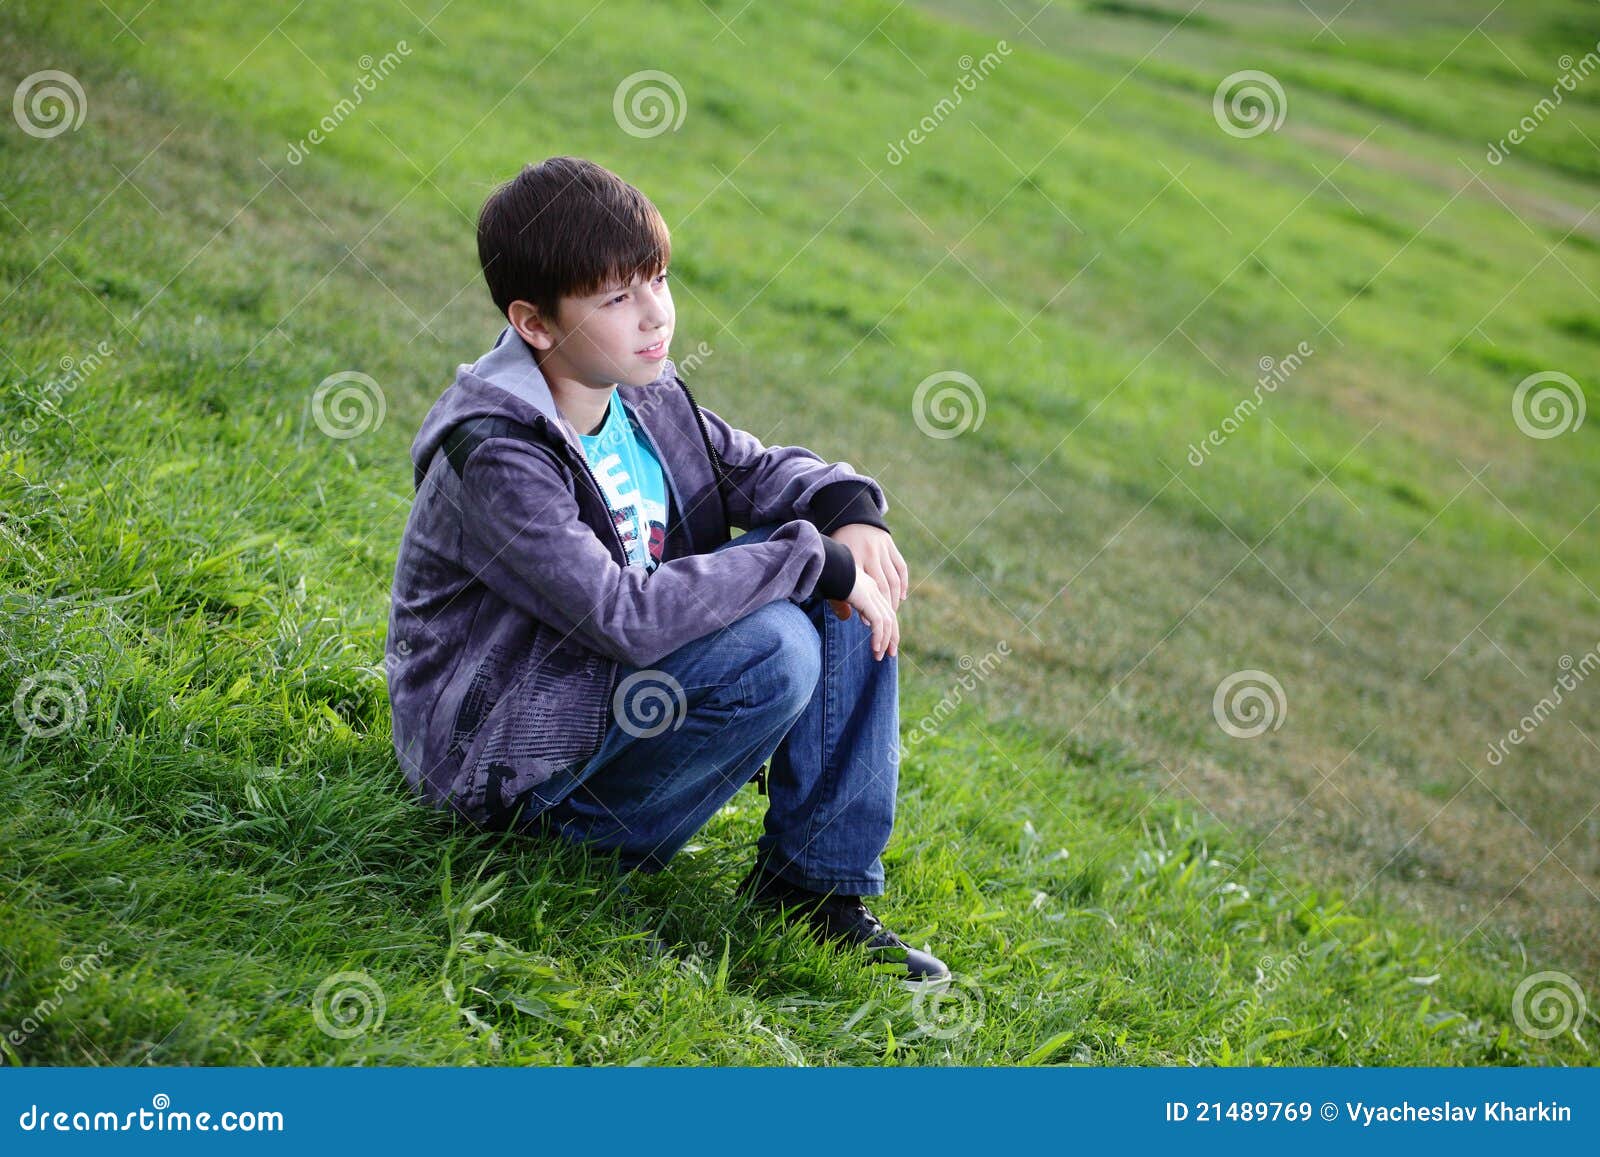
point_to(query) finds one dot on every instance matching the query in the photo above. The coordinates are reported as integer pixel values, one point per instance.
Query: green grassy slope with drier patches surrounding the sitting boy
(1116, 879)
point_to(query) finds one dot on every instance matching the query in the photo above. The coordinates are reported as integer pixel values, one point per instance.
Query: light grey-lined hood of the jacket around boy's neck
(505, 383)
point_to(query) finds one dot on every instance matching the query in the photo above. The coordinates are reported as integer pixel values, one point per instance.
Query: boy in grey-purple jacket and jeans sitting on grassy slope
(575, 644)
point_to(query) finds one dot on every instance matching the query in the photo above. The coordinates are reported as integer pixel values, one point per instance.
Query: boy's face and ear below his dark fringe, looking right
(612, 338)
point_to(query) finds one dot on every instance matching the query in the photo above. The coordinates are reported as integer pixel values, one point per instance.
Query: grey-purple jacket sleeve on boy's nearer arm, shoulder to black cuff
(524, 538)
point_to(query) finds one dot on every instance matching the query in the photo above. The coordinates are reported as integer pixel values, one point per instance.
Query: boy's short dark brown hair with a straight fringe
(567, 228)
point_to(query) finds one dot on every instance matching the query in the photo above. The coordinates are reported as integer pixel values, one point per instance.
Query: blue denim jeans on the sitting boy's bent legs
(791, 683)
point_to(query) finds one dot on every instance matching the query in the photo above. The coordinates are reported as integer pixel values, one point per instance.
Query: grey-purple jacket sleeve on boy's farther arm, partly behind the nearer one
(777, 484)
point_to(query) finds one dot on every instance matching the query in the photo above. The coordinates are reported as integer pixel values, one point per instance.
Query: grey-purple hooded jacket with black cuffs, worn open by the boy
(514, 604)
